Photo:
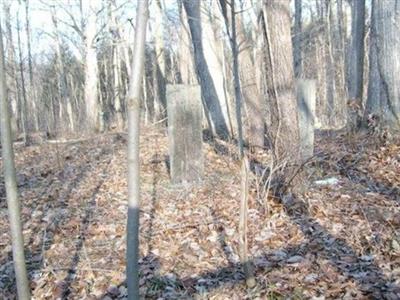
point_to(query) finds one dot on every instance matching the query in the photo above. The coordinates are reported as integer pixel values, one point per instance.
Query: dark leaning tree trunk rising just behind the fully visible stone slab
(208, 91)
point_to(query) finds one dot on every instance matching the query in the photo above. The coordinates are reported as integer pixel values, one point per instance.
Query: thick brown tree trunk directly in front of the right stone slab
(284, 131)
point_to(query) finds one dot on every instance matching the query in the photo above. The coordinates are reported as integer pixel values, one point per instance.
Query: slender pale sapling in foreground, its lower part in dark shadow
(132, 254)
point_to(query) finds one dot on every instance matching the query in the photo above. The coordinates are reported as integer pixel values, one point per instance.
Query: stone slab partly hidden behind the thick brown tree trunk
(306, 93)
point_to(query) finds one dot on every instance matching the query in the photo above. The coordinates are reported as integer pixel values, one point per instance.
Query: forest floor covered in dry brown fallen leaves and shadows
(335, 240)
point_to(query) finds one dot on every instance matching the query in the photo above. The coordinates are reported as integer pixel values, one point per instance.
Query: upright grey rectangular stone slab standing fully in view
(185, 137)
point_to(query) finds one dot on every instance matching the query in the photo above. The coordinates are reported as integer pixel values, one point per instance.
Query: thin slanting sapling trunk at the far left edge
(14, 207)
